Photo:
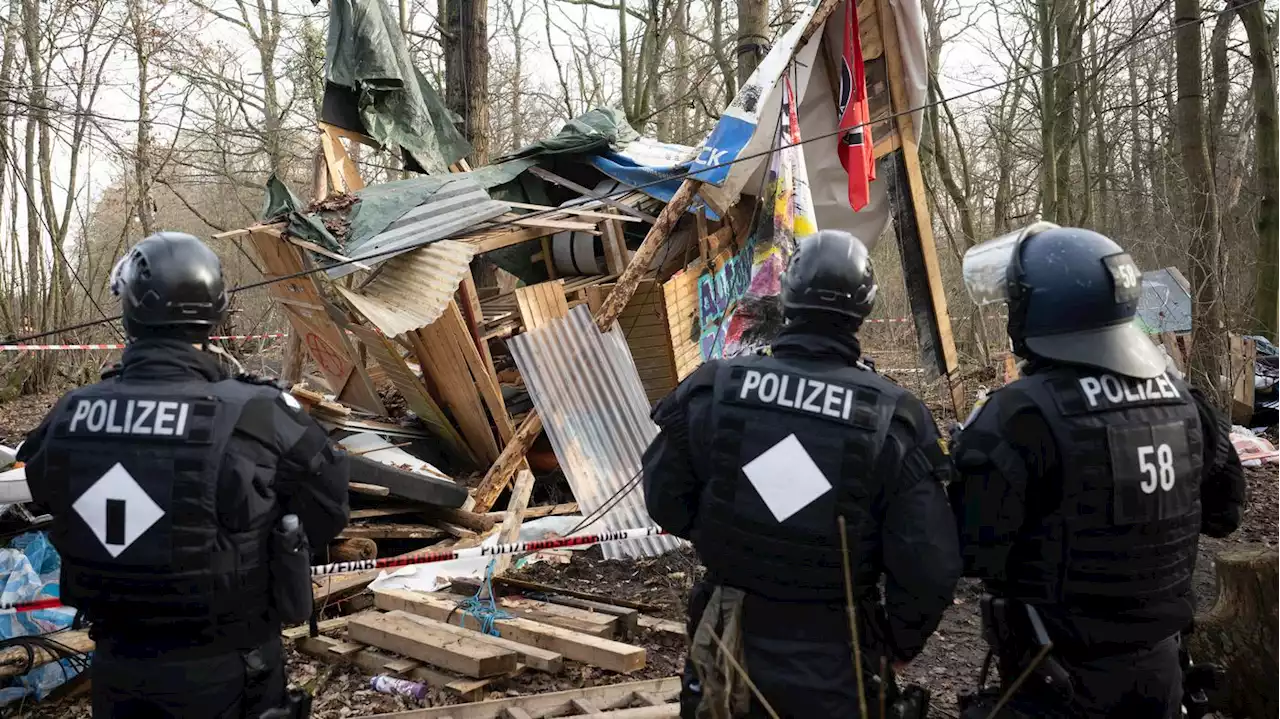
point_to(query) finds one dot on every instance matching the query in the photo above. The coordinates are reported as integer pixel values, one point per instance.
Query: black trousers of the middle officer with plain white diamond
(799, 658)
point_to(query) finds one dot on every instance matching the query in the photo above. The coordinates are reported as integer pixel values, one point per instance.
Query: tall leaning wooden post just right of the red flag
(913, 214)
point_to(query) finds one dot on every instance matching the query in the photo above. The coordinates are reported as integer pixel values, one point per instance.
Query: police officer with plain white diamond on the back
(757, 461)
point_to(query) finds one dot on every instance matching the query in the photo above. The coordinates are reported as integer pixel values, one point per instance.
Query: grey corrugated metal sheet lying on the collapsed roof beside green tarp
(458, 205)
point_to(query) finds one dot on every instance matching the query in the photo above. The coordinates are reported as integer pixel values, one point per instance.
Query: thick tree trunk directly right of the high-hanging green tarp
(467, 71)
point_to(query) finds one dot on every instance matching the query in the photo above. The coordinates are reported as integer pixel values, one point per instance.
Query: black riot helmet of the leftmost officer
(171, 285)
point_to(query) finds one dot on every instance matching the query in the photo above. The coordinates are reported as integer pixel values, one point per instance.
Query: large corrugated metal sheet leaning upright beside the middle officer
(588, 392)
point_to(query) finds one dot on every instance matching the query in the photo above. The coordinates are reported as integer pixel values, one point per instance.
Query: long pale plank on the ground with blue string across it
(606, 654)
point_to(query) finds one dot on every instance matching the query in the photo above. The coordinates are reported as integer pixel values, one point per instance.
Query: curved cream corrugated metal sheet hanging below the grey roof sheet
(413, 290)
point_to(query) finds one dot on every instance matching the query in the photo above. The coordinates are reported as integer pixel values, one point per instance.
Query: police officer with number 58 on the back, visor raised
(1082, 489)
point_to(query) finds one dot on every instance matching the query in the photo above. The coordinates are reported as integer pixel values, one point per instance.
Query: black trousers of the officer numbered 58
(1141, 685)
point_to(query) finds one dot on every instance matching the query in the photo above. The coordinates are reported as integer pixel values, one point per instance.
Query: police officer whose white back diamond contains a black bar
(173, 487)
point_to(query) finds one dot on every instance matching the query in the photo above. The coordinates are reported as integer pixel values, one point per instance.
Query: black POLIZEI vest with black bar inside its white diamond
(135, 470)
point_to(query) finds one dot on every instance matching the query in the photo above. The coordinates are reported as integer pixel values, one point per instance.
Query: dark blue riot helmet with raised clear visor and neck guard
(1073, 295)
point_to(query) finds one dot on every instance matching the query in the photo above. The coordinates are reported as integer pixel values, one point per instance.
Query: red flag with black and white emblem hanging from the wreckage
(857, 152)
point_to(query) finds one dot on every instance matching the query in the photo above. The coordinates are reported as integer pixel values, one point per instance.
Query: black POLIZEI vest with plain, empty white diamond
(794, 428)
